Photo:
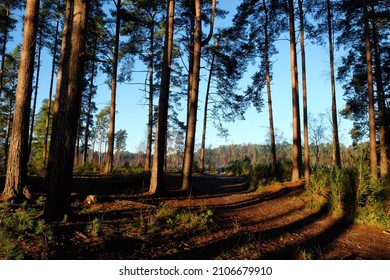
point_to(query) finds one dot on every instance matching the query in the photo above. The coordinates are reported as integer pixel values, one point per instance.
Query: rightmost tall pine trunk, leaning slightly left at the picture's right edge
(381, 100)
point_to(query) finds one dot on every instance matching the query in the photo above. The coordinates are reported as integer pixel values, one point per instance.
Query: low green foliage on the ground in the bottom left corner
(19, 227)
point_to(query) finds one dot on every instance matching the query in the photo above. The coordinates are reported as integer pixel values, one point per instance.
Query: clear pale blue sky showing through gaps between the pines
(132, 111)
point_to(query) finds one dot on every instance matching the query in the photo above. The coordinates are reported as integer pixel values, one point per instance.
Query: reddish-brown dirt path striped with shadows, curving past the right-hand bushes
(276, 224)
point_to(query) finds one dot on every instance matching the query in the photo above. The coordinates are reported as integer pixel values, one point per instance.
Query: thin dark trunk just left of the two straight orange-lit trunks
(269, 95)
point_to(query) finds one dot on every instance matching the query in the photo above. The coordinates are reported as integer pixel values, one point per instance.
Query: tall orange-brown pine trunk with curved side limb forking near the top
(193, 94)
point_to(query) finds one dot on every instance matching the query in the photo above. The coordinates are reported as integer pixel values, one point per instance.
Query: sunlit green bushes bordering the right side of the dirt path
(351, 192)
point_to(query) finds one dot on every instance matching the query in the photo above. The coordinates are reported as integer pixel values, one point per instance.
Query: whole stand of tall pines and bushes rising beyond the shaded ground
(94, 44)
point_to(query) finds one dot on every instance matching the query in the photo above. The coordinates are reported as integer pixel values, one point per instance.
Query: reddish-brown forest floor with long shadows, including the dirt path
(227, 222)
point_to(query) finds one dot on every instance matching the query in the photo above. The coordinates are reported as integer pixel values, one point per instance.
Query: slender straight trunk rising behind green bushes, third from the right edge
(335, 129)
